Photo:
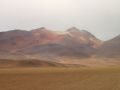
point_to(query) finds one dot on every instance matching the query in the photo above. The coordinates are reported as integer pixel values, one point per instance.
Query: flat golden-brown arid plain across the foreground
(60, 79)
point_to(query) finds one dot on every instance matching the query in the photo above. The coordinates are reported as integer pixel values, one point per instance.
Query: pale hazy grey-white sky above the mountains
(100, 17)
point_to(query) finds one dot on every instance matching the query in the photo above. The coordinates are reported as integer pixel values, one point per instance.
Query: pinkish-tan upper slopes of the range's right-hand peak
(84, 37)
